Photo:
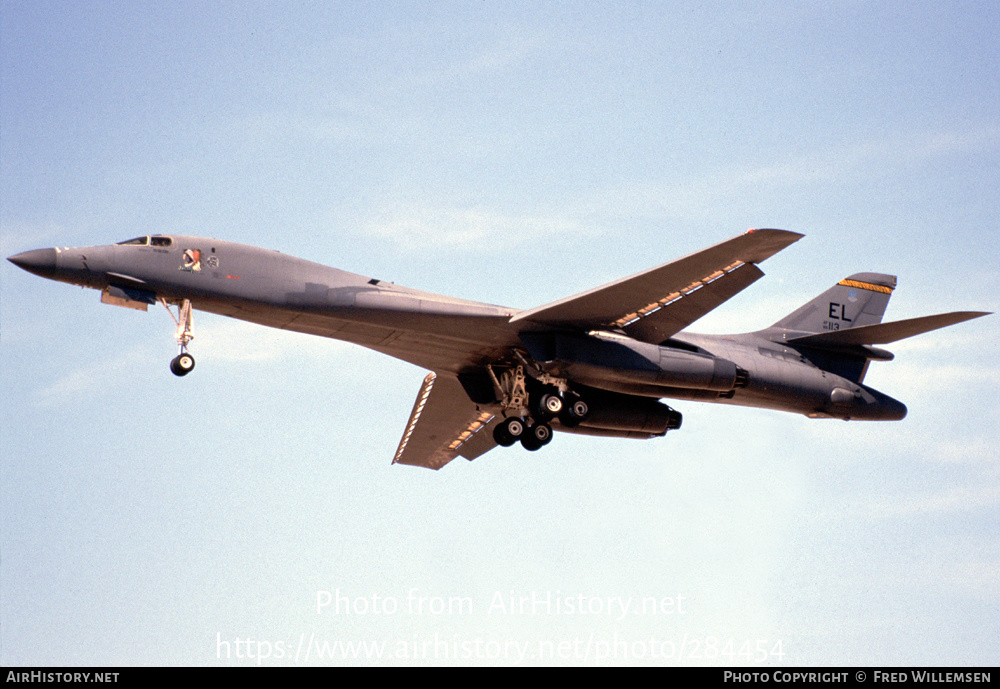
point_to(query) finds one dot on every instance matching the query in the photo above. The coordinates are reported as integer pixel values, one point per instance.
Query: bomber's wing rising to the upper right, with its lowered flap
(657, 303)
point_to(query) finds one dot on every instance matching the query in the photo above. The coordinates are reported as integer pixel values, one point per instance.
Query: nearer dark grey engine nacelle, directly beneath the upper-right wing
(606, 360)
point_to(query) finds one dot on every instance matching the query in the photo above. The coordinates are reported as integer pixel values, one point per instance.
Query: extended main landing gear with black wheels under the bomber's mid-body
(532, 405)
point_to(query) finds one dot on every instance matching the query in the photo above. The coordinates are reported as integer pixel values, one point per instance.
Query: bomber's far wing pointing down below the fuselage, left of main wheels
(444, 424)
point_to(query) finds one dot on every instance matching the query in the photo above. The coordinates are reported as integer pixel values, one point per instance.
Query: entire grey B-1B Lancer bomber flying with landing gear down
(597, 363)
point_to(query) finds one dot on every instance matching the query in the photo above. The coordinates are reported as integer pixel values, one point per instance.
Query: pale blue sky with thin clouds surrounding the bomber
(513, 153)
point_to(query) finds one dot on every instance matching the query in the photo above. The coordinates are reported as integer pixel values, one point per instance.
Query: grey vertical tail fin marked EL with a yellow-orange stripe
(854, 301)
